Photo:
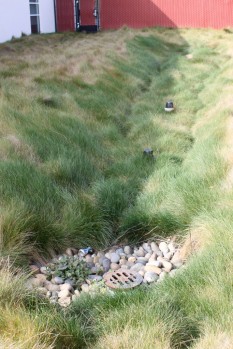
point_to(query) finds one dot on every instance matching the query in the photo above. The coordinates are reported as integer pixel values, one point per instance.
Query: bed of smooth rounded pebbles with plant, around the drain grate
(69, 275)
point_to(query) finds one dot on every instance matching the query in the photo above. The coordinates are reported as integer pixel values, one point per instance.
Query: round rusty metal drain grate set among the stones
(123, 279)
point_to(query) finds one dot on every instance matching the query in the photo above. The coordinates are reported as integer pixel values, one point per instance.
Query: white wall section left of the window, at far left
(14, 19)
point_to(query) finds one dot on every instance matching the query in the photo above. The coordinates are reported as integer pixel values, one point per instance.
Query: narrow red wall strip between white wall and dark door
(65, 15)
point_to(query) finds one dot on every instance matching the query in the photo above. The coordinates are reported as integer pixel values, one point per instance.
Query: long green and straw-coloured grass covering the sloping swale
(76, 112)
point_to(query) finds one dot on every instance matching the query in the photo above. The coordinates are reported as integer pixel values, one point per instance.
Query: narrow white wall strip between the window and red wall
(47, 16)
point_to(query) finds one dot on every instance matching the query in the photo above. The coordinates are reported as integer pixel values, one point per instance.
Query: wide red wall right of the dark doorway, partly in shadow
(166, 13)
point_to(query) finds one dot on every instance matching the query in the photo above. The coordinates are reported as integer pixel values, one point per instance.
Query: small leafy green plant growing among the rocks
(68, 267)
